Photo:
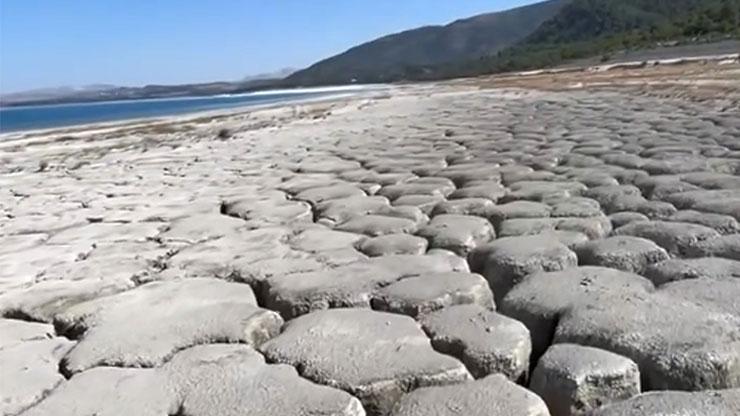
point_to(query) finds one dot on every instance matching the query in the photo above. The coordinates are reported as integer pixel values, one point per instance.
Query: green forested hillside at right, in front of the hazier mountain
(585, 28)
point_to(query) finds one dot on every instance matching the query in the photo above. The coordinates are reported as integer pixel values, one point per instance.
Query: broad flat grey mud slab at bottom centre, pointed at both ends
(375, 356)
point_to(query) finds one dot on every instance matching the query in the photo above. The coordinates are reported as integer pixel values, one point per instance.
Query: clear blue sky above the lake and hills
(47, 43)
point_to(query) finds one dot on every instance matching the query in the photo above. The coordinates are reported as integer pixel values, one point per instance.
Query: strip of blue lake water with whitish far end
(58, 115)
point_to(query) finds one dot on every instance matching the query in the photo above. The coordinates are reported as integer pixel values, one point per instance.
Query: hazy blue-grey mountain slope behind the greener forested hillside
(389, 57)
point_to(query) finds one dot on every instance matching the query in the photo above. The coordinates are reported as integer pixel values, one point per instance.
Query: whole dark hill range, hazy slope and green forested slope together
(541, 35)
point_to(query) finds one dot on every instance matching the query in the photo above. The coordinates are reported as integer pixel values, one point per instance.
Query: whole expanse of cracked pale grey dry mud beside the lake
(424, 250)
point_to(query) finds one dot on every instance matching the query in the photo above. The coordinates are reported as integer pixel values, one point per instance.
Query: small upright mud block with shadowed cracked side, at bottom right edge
(574, 380)
